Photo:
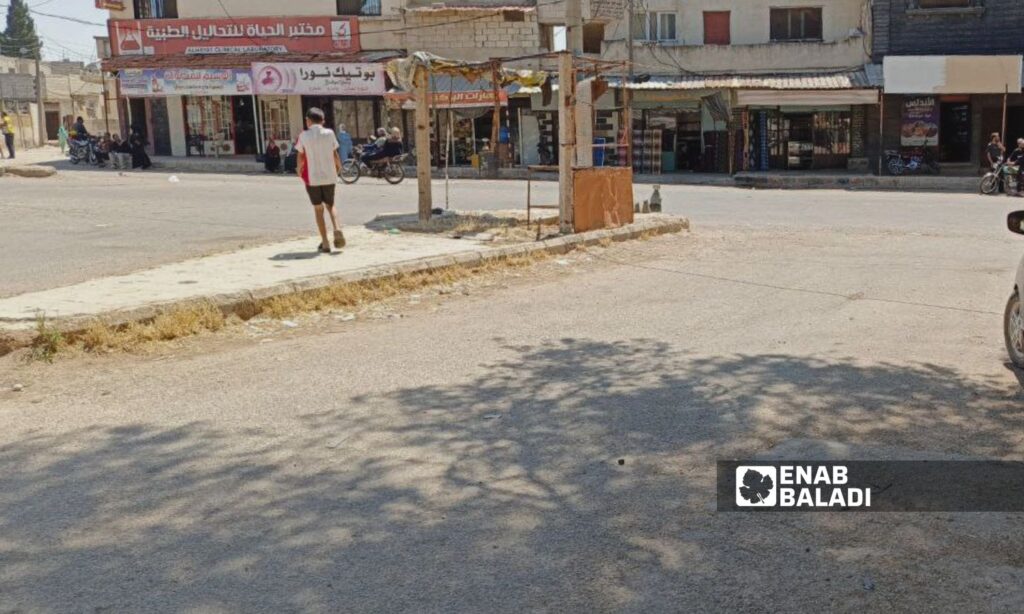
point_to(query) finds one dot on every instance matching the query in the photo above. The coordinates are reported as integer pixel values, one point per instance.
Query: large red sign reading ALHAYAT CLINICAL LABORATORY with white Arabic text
(241, 35)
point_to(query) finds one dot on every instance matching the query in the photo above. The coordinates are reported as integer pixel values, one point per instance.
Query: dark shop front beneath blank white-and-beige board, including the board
(949, 107)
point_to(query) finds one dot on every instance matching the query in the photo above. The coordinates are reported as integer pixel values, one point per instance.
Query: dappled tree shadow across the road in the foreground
(505, 493)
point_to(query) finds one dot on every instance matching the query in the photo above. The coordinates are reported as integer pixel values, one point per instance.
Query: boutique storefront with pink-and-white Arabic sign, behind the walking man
(350, 95)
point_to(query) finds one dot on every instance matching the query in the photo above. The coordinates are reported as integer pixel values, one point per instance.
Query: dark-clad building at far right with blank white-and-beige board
(953, 76)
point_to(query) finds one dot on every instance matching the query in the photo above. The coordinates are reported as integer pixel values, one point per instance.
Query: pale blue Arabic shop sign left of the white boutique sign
(186, 82)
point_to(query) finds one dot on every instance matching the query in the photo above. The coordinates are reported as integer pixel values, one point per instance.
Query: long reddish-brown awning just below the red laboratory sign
(182, 61)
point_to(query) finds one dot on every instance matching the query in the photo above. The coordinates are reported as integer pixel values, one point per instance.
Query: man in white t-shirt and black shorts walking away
(319, 166)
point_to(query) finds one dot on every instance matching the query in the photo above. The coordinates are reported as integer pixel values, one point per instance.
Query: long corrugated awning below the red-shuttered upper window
(866, 78)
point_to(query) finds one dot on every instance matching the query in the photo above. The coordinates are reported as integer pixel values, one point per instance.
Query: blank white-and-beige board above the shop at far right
(953, 74)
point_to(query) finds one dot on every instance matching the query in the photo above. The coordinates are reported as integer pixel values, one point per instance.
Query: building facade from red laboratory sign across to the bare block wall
(224, 79)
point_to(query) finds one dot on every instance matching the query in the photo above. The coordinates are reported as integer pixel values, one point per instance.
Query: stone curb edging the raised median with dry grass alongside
(241, 303)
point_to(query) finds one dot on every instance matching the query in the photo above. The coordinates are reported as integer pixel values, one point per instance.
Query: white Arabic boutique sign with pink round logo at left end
(319, 79)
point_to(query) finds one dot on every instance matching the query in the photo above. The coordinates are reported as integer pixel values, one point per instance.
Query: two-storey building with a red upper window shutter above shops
(732, 85)
